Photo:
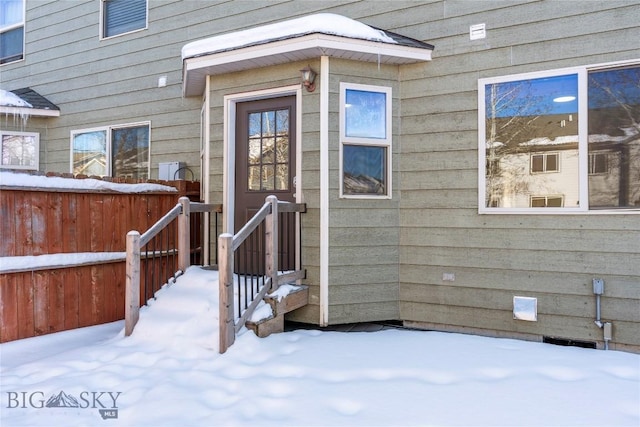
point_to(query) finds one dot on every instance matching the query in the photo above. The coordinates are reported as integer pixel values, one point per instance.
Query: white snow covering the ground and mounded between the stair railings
(169, 373)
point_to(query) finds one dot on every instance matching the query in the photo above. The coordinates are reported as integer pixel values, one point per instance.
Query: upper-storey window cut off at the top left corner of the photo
(11, 30)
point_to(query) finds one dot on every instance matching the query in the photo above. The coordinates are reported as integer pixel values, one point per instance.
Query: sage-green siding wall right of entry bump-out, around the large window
(496, 257)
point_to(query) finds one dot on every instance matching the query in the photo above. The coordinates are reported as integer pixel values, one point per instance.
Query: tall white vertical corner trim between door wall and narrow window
(324, 190)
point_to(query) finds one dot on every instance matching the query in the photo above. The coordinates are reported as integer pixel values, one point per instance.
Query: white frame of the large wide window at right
(582, 73)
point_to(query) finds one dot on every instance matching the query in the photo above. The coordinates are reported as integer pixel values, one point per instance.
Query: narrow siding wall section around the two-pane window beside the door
(363, 233)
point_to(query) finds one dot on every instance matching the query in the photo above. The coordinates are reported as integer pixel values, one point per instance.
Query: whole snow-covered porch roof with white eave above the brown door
(294, 40)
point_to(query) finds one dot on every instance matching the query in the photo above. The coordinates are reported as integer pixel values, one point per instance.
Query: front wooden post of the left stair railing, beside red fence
(132, 285)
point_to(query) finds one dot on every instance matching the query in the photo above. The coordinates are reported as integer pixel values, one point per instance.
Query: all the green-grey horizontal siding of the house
(390, 262)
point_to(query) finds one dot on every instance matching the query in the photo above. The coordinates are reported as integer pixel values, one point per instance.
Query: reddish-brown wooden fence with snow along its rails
(38, 222)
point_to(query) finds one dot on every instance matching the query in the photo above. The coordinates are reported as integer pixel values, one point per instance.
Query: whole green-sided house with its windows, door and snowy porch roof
(467, 166)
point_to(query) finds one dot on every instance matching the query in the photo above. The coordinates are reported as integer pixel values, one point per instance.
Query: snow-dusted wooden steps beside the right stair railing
(275, 323)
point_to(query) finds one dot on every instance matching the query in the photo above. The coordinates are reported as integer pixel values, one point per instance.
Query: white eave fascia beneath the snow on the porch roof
(195, 69)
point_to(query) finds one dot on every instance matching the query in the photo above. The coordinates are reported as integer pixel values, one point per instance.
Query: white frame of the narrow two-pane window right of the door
(385, 142)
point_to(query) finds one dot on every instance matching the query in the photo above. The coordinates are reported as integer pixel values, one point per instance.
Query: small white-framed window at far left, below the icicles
(20, 150)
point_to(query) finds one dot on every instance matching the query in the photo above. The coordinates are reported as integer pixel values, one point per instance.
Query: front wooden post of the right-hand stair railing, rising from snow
(225, 297)
